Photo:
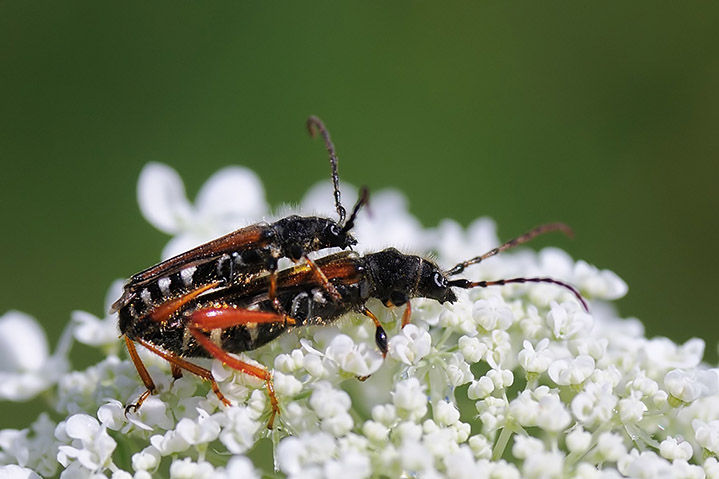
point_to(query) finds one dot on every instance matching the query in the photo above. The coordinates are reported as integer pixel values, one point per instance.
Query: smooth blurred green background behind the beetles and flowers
(604, 116)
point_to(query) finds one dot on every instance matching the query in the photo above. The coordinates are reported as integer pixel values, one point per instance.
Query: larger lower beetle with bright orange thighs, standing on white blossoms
(243, 317)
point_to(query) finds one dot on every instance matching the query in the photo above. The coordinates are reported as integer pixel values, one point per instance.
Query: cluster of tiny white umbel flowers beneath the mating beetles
(507, 382)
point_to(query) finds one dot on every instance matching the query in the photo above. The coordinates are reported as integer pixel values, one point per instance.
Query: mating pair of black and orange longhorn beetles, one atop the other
(227, 296)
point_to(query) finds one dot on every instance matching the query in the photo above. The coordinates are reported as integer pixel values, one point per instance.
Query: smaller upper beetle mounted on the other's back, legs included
(230, 260)
